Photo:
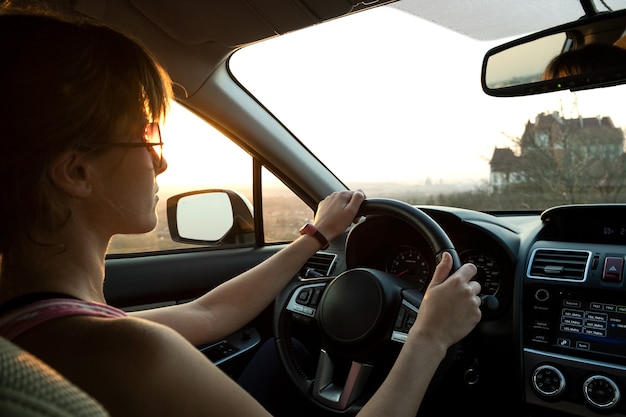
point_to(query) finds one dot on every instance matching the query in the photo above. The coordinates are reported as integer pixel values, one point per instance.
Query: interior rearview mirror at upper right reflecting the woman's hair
(588, 53)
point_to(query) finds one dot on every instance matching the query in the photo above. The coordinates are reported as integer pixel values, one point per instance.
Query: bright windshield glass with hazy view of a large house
(393, 104)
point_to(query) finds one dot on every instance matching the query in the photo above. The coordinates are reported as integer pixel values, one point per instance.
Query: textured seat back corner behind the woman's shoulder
(30, 388)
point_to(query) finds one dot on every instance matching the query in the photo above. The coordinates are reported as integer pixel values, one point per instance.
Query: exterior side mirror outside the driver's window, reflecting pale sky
(210, 217)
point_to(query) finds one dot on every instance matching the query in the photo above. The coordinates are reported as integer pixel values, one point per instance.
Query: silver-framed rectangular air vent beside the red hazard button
(567, 265)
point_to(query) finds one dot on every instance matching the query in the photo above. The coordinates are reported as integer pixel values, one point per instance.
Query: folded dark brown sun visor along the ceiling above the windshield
(231, 23)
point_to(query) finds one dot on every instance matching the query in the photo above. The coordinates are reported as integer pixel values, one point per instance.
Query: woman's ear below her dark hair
(70, 172)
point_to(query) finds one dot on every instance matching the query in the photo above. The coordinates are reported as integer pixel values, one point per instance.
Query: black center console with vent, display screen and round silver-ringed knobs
(574, 328)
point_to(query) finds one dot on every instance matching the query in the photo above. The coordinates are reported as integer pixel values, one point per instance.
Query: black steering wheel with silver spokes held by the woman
(361, 314)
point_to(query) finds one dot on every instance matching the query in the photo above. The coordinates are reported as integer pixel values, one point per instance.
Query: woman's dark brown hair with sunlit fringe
(64, 85)
